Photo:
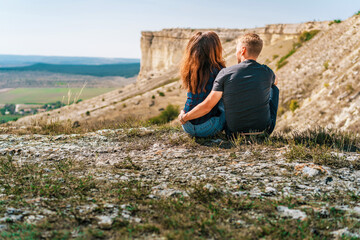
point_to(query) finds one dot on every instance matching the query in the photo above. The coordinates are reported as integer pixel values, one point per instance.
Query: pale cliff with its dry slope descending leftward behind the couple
(161, 54)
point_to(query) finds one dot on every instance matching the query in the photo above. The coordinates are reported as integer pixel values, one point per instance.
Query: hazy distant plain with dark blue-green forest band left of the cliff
(18, 71)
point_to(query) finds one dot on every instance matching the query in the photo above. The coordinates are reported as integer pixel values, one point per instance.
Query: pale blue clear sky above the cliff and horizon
(112, 28)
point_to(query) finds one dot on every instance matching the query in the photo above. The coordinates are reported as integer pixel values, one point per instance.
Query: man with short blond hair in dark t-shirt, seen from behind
(248, 90)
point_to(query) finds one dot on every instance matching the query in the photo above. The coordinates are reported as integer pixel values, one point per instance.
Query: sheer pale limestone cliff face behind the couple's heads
(162, 50)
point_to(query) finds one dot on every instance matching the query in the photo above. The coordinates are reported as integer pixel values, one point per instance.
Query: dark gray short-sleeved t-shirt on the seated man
(246, 91)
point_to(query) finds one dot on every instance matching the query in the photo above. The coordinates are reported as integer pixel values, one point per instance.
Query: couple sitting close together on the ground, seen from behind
(240, 99)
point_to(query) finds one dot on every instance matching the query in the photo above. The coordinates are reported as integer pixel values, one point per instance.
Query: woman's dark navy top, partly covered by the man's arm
(194, 99)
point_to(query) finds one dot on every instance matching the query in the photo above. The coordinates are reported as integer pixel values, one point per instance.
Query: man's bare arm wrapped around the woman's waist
(203, 108)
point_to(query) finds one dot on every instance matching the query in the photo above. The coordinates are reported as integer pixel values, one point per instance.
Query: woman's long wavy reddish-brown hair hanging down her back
(202, 55)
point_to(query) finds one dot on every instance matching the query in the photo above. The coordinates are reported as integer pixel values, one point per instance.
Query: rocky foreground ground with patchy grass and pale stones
(158, 183)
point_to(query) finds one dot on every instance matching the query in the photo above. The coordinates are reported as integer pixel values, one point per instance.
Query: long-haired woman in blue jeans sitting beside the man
(201, 63)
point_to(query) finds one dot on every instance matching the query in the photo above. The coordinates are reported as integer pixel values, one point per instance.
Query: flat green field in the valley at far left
(47, 95)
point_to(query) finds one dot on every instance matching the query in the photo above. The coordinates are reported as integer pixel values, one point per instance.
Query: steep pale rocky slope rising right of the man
(323, 77)
